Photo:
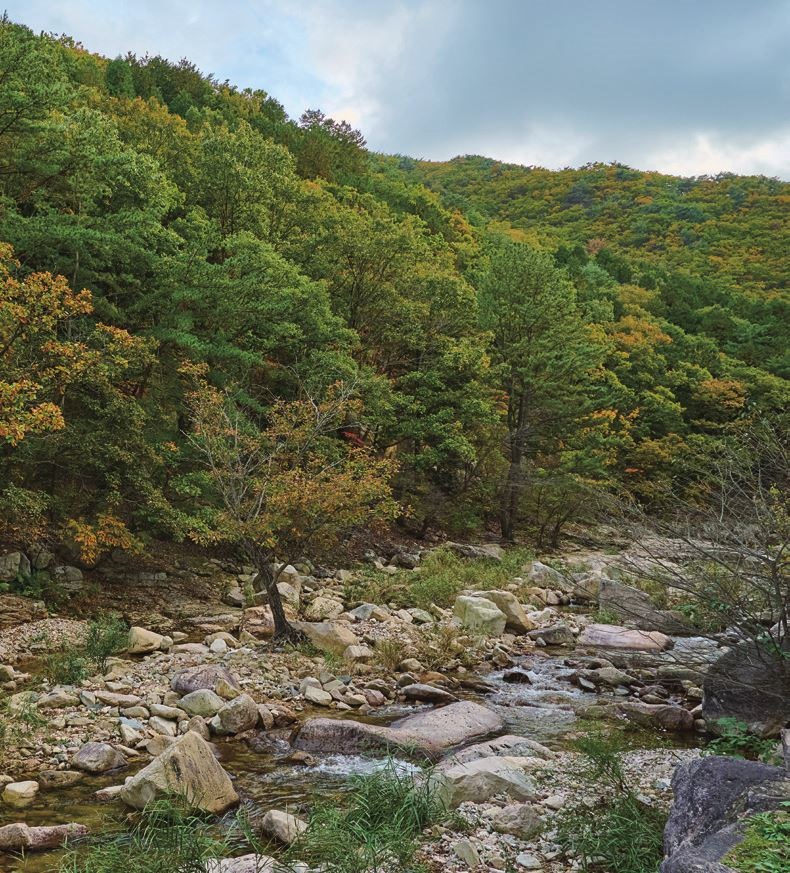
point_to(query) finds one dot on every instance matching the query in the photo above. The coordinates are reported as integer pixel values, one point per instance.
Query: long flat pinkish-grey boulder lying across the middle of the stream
(429, 733)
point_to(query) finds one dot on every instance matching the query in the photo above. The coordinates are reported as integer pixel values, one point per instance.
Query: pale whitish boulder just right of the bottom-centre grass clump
(482, 779)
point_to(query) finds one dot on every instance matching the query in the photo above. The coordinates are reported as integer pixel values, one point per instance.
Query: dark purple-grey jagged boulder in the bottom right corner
(713, 798)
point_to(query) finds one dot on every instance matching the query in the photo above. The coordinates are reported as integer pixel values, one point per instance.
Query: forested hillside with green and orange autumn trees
(181, 263)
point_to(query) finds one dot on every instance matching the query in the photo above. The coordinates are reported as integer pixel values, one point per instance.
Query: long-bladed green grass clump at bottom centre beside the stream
(375, 829)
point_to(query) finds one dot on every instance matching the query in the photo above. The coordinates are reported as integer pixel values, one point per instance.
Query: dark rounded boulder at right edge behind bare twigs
(751, 684)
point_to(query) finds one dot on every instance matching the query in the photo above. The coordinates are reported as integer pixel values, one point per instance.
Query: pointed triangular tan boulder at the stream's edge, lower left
(187, 769)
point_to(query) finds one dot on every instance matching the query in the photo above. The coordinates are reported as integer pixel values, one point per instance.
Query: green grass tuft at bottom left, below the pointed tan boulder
(165, 837)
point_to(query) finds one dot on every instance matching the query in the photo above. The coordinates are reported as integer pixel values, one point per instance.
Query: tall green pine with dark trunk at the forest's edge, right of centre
(545, 354)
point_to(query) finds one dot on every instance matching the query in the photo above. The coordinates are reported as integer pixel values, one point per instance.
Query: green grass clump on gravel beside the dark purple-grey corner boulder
(620, 833)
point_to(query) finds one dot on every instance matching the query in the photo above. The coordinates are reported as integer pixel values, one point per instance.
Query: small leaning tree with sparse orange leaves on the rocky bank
(286, 488)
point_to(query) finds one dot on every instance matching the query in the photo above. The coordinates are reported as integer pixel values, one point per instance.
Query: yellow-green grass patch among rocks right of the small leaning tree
(442, 575)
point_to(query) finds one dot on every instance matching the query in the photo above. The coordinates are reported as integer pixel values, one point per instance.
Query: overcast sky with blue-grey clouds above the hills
(683, 86)
